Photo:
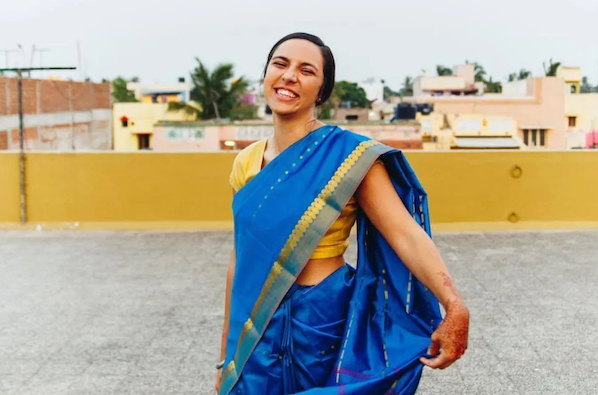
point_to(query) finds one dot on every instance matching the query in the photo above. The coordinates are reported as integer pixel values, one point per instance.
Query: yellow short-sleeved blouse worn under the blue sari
(336, 240)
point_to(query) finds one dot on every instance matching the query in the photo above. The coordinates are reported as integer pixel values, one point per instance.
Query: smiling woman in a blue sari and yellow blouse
(297, 318)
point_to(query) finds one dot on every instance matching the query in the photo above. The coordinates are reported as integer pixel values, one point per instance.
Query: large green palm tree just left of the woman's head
(215, 91)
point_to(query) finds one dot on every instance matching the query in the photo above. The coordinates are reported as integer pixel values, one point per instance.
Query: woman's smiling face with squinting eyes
(294, 77)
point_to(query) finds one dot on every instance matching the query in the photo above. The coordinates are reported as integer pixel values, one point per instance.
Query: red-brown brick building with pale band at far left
(58, 115)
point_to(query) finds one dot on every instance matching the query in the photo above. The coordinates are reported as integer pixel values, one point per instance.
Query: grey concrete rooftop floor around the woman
(141, 313)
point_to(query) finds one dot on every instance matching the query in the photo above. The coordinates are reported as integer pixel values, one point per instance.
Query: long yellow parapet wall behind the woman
(145, 190)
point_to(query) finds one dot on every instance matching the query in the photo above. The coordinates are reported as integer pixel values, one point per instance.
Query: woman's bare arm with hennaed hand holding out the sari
(377, 197)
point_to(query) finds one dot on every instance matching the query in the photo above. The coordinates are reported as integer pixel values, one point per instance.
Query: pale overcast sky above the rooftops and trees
(158, 40)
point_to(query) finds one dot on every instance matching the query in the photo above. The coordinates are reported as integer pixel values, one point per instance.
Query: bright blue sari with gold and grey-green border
(357, 332)
